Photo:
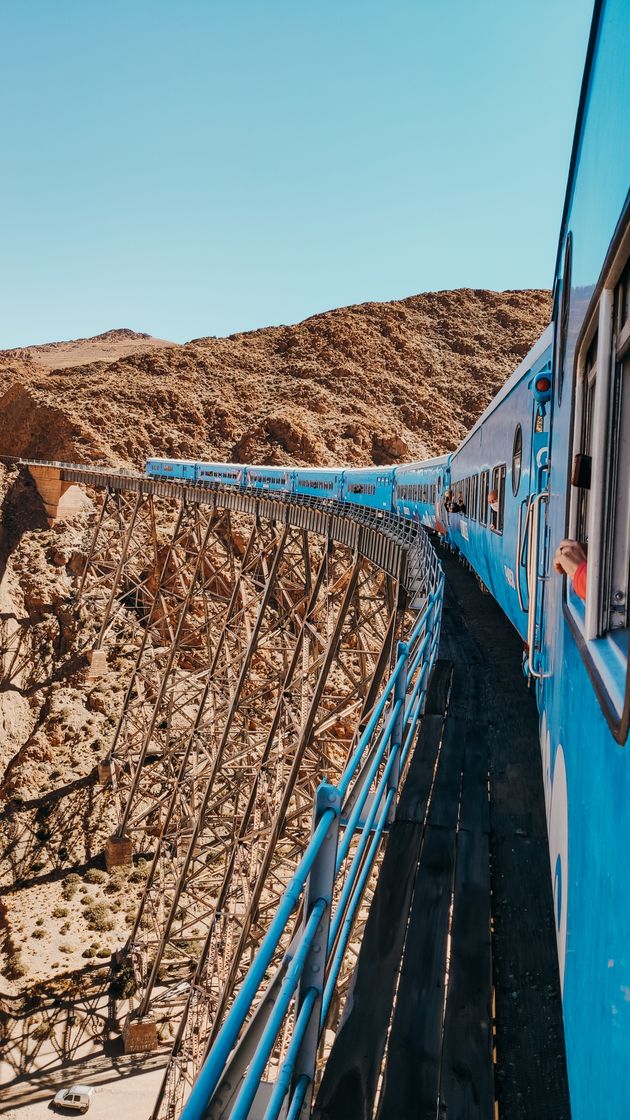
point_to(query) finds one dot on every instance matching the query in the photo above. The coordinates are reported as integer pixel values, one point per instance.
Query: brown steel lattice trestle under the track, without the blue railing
(263, 631)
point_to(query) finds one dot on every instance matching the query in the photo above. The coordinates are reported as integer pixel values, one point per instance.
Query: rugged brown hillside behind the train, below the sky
(370, 384)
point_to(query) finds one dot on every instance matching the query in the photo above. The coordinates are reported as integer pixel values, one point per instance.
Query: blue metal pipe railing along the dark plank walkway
(349, 823)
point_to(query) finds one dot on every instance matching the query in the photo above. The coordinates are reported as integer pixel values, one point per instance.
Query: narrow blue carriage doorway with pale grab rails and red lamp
(533, 536)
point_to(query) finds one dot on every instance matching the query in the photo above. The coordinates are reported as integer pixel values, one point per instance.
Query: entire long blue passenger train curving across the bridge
(550, 462)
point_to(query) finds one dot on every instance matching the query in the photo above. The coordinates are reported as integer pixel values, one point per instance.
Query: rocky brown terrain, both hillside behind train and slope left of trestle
(373, 384)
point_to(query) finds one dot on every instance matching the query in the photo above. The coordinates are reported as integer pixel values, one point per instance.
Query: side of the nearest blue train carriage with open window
(585, 688)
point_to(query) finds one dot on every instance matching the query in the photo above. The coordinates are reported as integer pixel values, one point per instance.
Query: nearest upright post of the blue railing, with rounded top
(320, 885)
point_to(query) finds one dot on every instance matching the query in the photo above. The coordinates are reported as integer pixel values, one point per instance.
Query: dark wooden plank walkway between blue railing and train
(462, 920)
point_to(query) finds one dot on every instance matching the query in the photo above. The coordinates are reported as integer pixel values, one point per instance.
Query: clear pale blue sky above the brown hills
(199, 167)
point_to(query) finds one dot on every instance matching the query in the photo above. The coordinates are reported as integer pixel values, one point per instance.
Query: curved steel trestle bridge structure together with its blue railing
(279, 654)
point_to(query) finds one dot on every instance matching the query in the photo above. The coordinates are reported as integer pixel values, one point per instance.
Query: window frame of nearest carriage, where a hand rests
(600, 628)
